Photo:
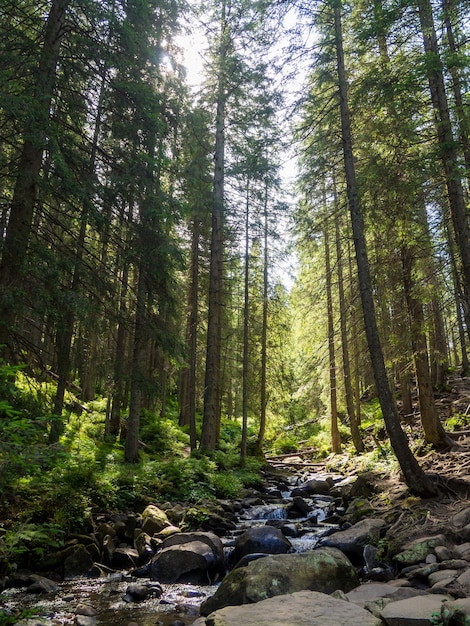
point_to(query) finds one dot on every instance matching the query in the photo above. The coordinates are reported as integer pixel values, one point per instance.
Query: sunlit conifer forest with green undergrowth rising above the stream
(199, 273)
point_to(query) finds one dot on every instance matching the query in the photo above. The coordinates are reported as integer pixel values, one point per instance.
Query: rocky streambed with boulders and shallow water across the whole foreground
(311, 549)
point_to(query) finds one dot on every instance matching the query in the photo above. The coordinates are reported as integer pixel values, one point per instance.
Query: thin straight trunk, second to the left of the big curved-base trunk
(335, 436)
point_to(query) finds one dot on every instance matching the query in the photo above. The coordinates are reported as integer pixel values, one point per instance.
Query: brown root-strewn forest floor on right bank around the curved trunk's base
(410, 516)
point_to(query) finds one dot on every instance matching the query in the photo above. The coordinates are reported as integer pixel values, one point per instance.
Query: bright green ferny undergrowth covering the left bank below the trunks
(61, 486)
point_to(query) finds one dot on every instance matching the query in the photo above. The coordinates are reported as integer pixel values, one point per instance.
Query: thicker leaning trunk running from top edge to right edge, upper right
(448, 147)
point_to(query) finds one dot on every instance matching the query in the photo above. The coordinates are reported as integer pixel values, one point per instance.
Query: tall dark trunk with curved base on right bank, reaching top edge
(418, 482)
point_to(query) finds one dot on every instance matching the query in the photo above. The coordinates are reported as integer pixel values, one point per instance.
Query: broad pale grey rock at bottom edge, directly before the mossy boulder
(304, 608)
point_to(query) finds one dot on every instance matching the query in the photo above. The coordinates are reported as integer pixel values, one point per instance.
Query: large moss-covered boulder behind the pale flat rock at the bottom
(323, 570)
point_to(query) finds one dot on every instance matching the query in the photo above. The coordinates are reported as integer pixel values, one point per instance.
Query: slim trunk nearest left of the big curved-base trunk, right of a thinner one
(353, 425)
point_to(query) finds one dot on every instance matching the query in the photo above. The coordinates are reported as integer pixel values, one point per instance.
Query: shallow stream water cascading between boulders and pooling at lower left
(303, 522)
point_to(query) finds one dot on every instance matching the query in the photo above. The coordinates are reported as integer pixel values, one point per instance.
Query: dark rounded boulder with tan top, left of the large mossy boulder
(189, 557)
